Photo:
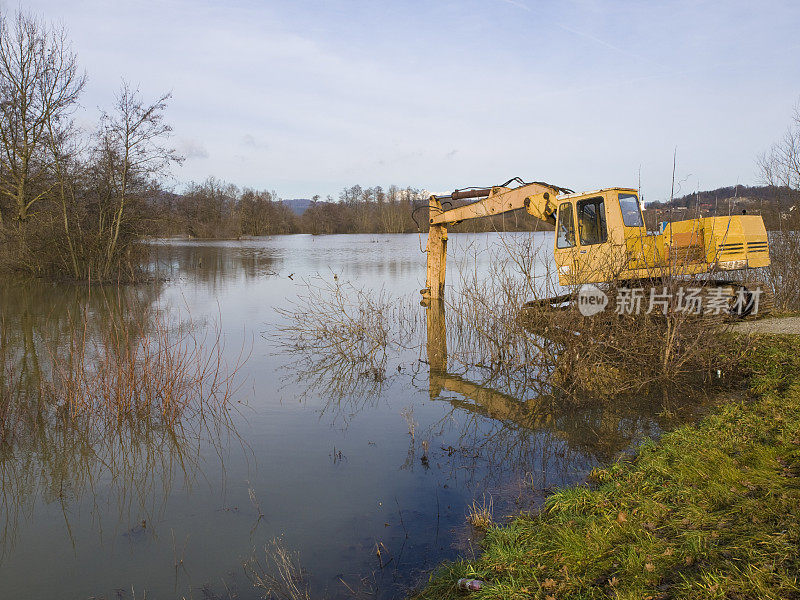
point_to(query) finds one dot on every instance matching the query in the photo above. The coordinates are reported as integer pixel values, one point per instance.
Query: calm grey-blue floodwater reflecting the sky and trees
(326, 462)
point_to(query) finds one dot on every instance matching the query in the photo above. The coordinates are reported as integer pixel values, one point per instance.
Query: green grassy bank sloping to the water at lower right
(710, 511)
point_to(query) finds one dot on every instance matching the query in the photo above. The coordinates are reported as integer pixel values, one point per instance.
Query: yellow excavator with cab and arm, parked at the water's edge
(601, 236)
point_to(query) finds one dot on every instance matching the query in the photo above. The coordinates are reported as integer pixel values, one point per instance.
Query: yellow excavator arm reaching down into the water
(537, 198)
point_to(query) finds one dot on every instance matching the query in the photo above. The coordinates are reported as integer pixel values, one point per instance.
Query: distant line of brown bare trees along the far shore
(217, 210)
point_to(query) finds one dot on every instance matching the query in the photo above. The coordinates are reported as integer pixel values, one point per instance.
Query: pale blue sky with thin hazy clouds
(306, 98)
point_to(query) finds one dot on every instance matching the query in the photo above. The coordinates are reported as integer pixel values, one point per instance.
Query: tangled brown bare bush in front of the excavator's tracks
(544, 350)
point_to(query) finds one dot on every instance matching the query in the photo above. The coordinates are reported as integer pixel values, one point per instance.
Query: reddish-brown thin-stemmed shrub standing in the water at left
(142, 370)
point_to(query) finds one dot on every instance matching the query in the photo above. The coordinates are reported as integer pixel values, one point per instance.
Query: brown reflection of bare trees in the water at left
(50, 449)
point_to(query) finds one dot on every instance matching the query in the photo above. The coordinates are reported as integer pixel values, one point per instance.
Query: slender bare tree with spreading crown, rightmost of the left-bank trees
(132, 144)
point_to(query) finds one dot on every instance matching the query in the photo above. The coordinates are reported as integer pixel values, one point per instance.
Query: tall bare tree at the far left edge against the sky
(39, 88)
